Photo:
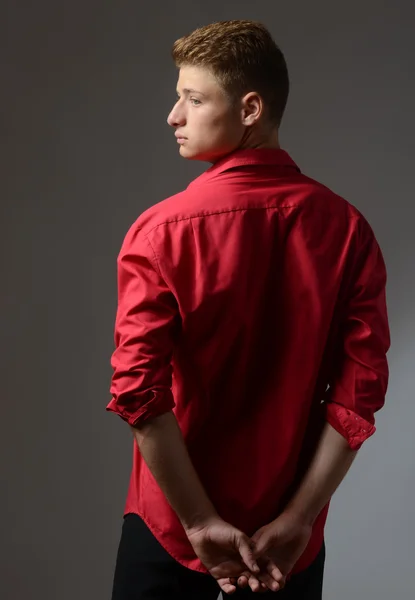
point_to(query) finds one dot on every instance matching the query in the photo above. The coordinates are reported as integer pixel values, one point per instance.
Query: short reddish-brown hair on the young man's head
(243, 57)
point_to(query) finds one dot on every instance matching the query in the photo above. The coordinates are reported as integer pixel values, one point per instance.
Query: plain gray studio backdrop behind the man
(86, 89)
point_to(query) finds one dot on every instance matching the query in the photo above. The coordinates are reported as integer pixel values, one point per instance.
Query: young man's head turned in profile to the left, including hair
(232, 90)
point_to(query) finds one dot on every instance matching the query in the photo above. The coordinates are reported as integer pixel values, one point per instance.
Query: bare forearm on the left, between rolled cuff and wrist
(163, 449)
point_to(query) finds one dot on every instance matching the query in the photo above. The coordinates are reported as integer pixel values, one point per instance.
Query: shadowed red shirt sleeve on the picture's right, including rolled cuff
(359, 384)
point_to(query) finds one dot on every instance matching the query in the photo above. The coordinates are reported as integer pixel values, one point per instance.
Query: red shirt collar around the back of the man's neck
(250, 156)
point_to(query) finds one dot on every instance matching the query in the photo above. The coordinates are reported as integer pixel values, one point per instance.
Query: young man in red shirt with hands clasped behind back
(251, 340)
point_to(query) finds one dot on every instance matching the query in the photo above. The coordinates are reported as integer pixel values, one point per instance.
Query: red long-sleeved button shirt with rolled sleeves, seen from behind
(253, 305)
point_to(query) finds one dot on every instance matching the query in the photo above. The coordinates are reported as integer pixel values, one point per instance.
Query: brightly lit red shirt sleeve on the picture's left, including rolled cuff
(147, 314)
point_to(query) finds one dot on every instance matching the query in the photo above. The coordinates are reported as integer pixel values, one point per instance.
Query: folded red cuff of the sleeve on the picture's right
(349, 424)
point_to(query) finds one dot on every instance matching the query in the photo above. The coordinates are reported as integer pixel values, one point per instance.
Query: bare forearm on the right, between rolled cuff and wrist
(332, 460)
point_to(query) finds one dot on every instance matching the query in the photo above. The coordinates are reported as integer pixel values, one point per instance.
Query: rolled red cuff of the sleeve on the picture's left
(136, 412)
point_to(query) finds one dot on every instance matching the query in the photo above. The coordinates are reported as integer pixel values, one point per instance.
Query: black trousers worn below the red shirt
(145, 571)
